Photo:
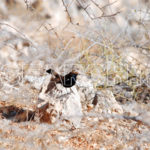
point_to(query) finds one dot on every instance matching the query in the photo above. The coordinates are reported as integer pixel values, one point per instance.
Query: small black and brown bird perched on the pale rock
(67, 80)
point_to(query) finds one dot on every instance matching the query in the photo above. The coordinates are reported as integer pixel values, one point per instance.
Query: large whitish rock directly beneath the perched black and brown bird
(64, 103)
